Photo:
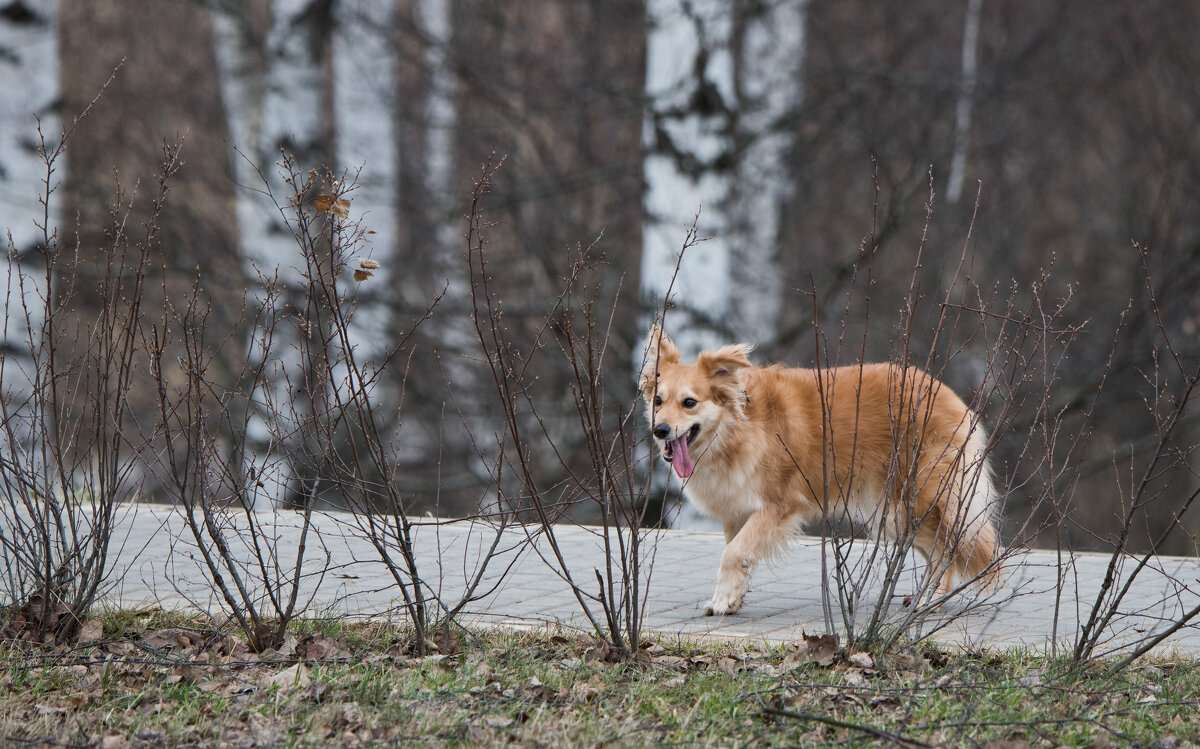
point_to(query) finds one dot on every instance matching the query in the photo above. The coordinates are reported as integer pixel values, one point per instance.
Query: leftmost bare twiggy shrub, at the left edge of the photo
(68, 462)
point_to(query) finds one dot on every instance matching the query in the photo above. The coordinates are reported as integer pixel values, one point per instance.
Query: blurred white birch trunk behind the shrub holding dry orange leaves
(277, 67)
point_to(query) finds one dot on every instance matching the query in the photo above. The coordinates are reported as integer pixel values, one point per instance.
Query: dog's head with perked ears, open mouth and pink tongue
(687, 404)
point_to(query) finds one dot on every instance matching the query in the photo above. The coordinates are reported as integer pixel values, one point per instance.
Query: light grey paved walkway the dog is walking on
(1046, 601)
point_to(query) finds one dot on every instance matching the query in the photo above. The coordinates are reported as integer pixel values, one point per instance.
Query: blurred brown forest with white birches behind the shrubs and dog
(802, 130)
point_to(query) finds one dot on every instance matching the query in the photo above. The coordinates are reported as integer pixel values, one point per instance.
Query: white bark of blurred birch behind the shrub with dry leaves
(275, 94)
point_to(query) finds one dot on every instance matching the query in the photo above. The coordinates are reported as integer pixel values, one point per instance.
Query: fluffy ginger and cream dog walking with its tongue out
(770, 450)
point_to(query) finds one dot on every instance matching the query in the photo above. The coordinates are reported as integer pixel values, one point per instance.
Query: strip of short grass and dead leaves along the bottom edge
(169, 680)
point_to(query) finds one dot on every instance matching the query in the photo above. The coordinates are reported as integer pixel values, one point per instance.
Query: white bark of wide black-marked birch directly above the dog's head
(705, 105)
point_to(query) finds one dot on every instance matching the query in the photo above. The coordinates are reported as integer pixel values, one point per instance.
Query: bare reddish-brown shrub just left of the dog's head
(609, 480)
